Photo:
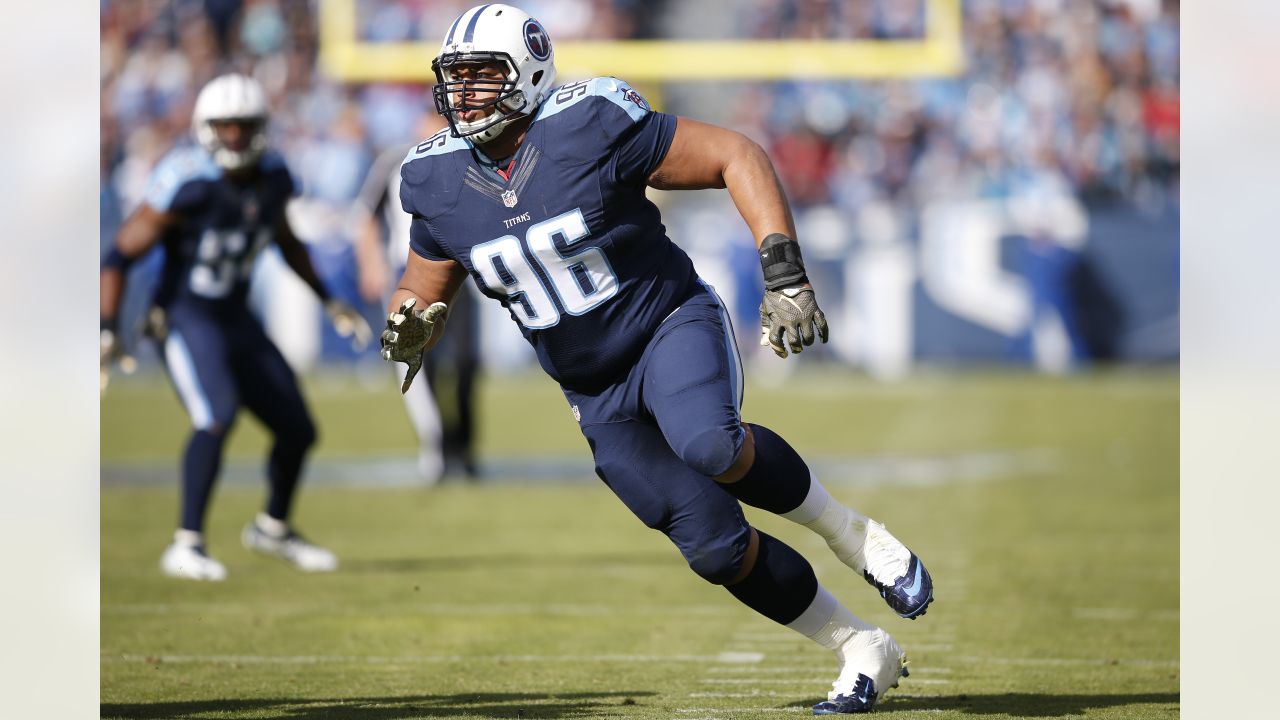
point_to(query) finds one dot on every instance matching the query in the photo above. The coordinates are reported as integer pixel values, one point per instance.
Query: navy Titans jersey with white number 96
(568, 241)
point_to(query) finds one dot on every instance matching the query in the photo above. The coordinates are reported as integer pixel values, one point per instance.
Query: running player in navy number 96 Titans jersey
(537, 192)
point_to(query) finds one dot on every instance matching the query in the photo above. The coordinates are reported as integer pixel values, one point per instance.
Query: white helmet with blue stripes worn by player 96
(504, 35)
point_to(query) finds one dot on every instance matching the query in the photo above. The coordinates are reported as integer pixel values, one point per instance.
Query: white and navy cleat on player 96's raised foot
(886, 564)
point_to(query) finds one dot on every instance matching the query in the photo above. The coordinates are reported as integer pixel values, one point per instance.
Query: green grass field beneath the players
(1046, 511)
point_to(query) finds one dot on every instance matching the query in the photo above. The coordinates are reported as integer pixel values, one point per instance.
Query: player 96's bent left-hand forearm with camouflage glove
(419, 309)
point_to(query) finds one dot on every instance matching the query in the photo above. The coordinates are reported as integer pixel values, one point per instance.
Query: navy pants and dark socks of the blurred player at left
(220, 364)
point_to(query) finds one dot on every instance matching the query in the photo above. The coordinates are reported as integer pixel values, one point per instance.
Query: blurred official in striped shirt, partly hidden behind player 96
(442, 411)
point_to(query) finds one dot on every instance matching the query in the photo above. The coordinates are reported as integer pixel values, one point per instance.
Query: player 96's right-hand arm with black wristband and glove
(707, 157)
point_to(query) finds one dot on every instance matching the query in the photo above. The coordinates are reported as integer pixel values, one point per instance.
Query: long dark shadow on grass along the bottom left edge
(470, 705)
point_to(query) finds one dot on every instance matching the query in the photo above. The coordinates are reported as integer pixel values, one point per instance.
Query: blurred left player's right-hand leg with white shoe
(271, 391)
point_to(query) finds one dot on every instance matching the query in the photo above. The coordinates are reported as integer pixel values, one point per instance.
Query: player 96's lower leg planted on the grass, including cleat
(758, 569)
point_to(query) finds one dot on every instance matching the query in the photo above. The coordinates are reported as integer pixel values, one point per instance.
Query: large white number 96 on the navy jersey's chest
(580, 281)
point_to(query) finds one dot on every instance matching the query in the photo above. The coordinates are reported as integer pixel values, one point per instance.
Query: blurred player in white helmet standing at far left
(213, 207)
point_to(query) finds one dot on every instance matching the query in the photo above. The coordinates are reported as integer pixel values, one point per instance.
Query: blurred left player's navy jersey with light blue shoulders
(211, 252)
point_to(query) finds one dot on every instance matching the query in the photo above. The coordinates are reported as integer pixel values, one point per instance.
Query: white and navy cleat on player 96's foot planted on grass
(871, 664)
